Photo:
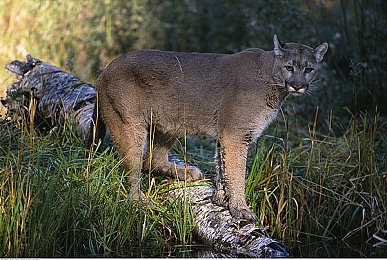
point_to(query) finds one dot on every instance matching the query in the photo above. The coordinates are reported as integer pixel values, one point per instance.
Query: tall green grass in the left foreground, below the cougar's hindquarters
(55, 201)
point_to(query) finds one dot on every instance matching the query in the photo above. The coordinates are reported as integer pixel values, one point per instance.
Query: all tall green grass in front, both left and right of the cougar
(55, 200)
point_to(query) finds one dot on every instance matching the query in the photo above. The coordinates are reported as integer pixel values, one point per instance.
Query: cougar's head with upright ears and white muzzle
(296, 65)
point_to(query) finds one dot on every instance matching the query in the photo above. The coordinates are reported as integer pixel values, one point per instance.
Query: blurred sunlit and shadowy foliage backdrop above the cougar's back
(84, 36)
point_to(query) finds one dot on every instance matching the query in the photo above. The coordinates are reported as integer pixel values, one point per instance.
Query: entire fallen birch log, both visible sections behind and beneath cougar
(58, 96)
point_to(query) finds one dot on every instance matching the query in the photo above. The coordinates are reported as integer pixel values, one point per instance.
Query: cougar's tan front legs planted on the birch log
(230, 180)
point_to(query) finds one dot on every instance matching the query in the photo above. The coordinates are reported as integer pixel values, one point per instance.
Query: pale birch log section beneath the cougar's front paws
(216, 226)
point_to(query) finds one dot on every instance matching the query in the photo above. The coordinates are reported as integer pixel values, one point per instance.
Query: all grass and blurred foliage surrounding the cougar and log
(319, 172)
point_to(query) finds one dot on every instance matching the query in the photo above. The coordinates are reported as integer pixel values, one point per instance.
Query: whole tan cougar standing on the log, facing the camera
(147, 97)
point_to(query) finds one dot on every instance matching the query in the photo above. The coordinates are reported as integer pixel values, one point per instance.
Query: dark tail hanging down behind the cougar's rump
(97, 129)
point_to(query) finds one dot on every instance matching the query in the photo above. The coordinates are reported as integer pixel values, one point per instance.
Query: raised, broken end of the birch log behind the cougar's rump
(58, 96)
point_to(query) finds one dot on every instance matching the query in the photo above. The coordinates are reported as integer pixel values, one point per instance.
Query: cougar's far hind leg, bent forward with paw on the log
(157, 158)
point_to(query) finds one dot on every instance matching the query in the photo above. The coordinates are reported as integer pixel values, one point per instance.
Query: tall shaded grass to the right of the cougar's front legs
(315, 184)
